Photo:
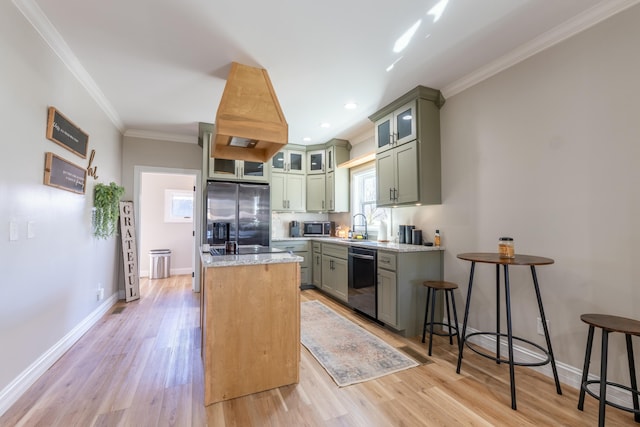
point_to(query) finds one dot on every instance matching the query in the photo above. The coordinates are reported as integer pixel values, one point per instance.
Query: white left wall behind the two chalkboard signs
(49, 282)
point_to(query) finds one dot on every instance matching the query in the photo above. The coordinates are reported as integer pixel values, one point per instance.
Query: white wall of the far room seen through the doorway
(155, 233)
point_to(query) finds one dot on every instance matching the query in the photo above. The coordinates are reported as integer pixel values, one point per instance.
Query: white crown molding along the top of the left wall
(44, 27)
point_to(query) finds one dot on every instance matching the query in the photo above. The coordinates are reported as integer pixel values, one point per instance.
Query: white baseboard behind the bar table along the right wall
(567, 374)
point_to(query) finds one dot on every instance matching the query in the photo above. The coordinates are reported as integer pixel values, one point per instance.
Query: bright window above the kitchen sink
(364, 196)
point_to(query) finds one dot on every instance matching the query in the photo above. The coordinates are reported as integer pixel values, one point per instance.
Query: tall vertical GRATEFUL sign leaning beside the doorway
(129, 252)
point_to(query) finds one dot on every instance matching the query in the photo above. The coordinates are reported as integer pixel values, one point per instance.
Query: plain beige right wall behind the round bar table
(547, 152)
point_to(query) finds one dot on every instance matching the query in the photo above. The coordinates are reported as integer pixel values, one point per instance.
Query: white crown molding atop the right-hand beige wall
(581, 22)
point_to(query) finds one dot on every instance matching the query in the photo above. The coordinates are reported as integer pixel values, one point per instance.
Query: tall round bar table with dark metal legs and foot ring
(527, 260)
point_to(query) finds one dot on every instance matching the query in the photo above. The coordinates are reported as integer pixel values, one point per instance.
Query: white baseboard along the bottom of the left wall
(16, 388)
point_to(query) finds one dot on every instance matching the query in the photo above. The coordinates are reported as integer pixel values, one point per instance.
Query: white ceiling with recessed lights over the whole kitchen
(158, 67)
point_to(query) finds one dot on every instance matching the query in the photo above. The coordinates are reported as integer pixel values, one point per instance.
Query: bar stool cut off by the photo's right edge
(608, 324)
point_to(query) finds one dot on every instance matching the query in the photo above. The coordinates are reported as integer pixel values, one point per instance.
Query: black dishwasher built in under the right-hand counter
(363, 289)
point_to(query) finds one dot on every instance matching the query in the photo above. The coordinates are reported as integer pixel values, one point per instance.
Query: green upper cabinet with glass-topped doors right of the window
(407, 134)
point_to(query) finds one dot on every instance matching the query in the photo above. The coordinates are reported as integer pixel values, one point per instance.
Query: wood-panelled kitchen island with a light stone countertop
(250, 319)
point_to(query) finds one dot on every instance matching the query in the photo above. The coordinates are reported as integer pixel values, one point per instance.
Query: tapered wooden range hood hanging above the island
(249, 122)
